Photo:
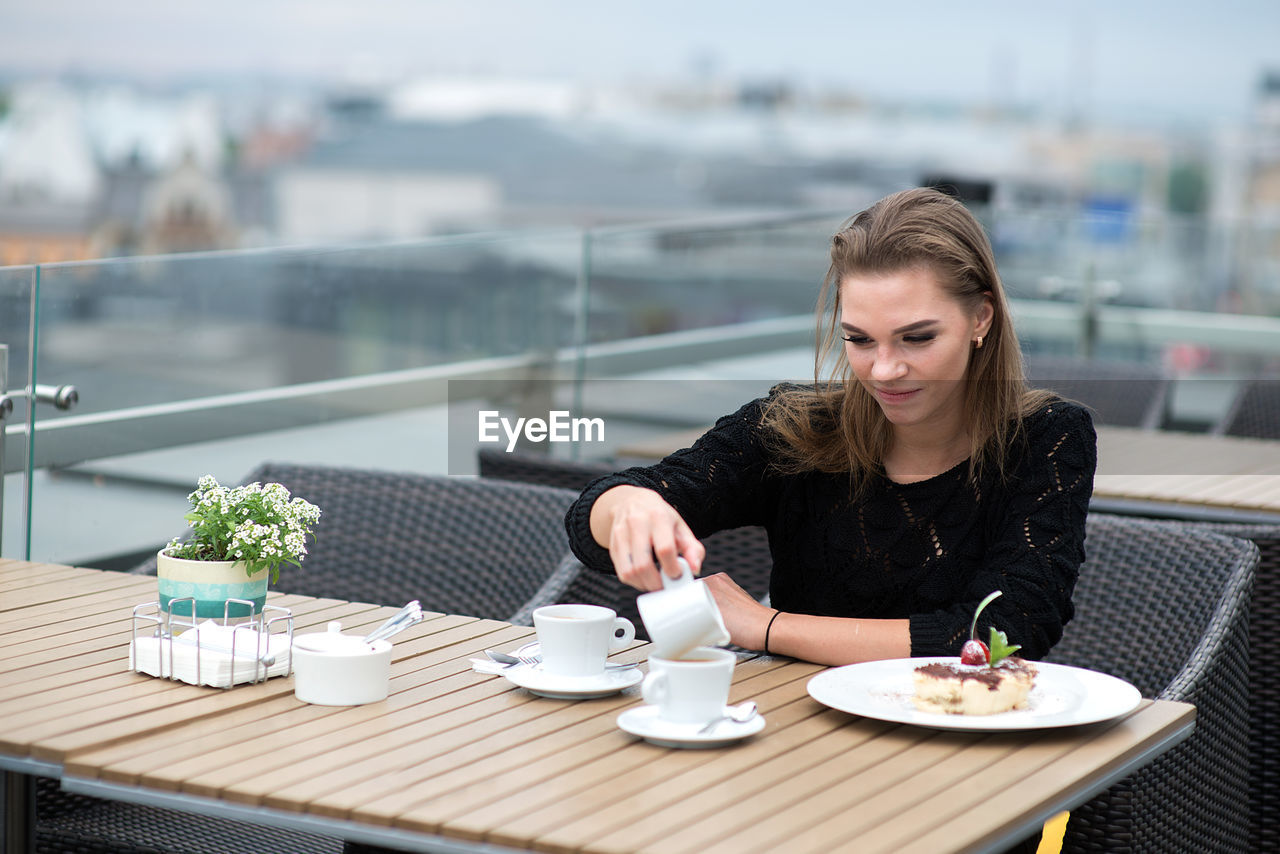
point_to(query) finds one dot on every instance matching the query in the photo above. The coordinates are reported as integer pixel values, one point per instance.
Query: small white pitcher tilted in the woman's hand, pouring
(682, 616)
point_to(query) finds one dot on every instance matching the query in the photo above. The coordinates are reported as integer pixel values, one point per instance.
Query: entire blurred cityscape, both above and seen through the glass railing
(397, 238)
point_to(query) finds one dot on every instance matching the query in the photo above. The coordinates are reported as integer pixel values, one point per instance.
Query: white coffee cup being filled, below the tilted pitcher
(692, 689)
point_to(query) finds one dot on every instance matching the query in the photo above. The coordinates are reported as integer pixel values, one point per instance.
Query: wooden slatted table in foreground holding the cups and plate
(458, 760)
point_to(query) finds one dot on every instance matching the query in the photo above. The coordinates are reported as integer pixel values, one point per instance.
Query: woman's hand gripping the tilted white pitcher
(638, 526)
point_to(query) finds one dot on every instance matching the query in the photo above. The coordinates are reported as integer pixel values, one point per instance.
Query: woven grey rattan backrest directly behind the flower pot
(458, 545)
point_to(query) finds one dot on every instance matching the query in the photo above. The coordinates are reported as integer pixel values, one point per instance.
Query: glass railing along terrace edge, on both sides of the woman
(386, 357)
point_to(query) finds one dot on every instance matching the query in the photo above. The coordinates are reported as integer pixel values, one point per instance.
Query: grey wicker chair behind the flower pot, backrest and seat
(463, 546)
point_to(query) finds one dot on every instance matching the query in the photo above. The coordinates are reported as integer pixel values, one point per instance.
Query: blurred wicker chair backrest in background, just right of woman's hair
(1119, 394)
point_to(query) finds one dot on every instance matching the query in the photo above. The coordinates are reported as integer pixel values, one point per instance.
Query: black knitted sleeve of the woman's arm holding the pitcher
(714, 486)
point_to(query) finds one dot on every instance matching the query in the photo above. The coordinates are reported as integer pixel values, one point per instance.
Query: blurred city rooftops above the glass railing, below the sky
(95, 170)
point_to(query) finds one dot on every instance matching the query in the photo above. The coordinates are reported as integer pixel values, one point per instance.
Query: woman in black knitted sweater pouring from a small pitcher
(897, 494)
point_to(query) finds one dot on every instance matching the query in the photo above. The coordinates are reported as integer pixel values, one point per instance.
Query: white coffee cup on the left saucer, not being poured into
(575, 640)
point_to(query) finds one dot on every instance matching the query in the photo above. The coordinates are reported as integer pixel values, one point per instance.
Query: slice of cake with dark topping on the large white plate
(973, 689)
